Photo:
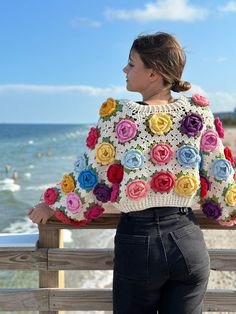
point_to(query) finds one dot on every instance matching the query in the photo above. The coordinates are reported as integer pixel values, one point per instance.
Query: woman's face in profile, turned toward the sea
(137, 75)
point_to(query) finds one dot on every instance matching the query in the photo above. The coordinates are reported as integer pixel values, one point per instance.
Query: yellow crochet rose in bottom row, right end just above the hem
(186, 185)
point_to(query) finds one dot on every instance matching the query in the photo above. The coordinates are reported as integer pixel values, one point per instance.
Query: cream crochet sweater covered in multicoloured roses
(140, 156)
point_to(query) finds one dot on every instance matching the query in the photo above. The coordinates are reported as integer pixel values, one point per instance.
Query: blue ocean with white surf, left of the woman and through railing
(33, 157)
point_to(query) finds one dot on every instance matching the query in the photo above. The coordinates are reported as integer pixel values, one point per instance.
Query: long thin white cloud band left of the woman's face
(57, 89)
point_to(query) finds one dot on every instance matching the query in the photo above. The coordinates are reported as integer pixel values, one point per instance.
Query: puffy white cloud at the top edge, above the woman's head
(168, 10)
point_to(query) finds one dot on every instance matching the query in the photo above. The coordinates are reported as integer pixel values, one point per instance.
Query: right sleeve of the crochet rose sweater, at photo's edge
(217, 175)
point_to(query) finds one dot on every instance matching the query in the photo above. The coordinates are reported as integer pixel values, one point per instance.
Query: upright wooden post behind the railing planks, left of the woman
(50, 238)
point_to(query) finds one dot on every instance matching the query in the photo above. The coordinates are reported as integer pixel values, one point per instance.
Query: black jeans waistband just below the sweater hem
(159, 212)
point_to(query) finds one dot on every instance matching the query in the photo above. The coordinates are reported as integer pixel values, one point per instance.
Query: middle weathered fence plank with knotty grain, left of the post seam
(24, 260)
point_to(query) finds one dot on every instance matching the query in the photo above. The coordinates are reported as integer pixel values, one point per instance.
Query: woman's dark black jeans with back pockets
(161, 265)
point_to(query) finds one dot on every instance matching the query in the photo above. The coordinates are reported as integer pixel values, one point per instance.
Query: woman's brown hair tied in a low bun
(162, 52)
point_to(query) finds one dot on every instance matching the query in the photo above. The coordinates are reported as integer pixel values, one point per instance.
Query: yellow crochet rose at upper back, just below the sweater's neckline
(160, 123)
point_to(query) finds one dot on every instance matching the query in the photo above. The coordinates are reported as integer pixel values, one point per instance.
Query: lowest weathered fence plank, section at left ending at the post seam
(24, 299)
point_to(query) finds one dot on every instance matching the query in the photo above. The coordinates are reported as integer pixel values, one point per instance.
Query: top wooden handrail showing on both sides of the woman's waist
(110, 220)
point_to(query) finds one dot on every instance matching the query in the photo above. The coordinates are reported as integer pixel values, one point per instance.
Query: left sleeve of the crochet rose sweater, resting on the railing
(80, 195)
